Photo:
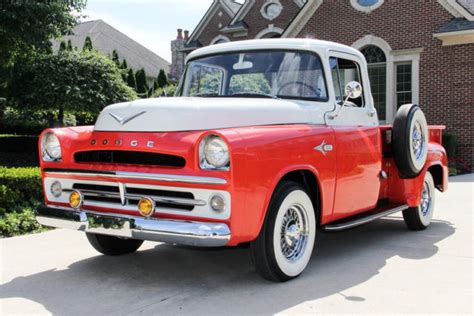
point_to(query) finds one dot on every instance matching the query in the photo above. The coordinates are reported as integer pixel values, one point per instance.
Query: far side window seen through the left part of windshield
(205, 80)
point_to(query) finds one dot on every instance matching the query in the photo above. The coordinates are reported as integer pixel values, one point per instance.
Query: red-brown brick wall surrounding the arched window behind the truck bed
(446, 73)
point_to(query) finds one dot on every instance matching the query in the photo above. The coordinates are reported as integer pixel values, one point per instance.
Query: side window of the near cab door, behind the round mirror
(344, 71)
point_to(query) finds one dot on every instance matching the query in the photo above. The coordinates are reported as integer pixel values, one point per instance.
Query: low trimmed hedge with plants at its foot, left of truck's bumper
(20, 194)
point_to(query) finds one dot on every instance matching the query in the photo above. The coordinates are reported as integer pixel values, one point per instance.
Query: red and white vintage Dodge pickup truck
(266, 142)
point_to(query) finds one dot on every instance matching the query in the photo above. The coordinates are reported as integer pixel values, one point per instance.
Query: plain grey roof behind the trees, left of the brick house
(106, 38)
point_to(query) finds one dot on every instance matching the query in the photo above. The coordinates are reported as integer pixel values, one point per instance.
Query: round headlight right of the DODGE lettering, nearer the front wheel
(213, 153)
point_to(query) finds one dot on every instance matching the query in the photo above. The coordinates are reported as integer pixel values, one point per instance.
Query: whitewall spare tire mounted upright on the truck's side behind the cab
(410, 140)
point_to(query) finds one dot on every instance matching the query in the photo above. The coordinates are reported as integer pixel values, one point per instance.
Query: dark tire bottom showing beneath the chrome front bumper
(113, 246)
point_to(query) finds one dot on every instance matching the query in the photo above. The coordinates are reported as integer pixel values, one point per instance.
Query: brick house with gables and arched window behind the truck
(418, 51)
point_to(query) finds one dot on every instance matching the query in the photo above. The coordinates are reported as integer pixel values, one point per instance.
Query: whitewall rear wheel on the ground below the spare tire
(419, 218)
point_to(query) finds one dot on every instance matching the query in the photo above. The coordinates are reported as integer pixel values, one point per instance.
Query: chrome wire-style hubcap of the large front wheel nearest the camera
(294, 232)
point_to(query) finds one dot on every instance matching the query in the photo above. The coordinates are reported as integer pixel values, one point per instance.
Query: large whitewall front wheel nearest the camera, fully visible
(283, 248)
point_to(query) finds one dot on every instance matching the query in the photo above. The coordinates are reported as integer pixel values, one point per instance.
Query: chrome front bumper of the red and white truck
(200, 234)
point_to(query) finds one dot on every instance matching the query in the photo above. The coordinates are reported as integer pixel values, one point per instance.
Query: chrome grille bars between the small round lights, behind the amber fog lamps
(120, 194)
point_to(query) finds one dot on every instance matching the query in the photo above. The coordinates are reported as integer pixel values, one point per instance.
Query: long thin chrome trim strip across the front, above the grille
(140, 176)
